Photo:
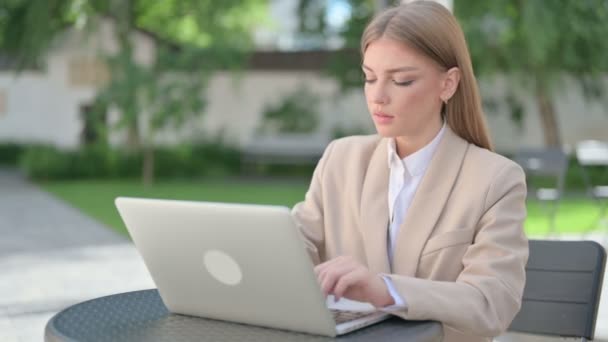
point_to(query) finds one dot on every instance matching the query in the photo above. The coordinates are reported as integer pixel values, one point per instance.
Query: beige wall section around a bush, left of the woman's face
(237, 105)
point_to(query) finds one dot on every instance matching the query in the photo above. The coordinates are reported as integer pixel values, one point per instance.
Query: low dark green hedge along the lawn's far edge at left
(100, 161)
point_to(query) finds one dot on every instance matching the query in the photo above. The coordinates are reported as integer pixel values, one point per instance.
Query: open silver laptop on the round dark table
(242, 263)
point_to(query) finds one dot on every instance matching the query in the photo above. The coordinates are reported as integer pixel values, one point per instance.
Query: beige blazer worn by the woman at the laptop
(460, 252)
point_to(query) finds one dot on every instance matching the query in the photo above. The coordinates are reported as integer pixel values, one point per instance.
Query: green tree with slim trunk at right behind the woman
(536, 43)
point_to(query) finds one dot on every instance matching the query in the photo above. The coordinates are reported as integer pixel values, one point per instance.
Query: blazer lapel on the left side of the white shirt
(374, 210)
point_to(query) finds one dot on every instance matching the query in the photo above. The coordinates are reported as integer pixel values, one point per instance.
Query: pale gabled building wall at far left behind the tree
(44, 106)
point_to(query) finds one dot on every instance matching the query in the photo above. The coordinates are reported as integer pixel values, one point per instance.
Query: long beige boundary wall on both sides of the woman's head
(235, 106)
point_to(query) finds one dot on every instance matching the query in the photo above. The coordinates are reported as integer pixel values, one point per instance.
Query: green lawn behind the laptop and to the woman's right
(96, 198)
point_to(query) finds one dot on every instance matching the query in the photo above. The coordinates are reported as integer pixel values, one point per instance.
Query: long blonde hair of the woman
(432, 30)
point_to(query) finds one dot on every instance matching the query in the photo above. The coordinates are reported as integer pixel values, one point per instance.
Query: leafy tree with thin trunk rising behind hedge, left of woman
(169, 91)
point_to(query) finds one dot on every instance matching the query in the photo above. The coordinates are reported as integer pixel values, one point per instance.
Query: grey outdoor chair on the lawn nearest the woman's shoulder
(540, 165)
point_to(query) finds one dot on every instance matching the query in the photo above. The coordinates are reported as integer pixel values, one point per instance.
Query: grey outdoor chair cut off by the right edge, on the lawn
(594, 154)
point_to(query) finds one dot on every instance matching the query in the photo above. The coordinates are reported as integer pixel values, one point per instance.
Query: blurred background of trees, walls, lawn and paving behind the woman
(235, 101)
